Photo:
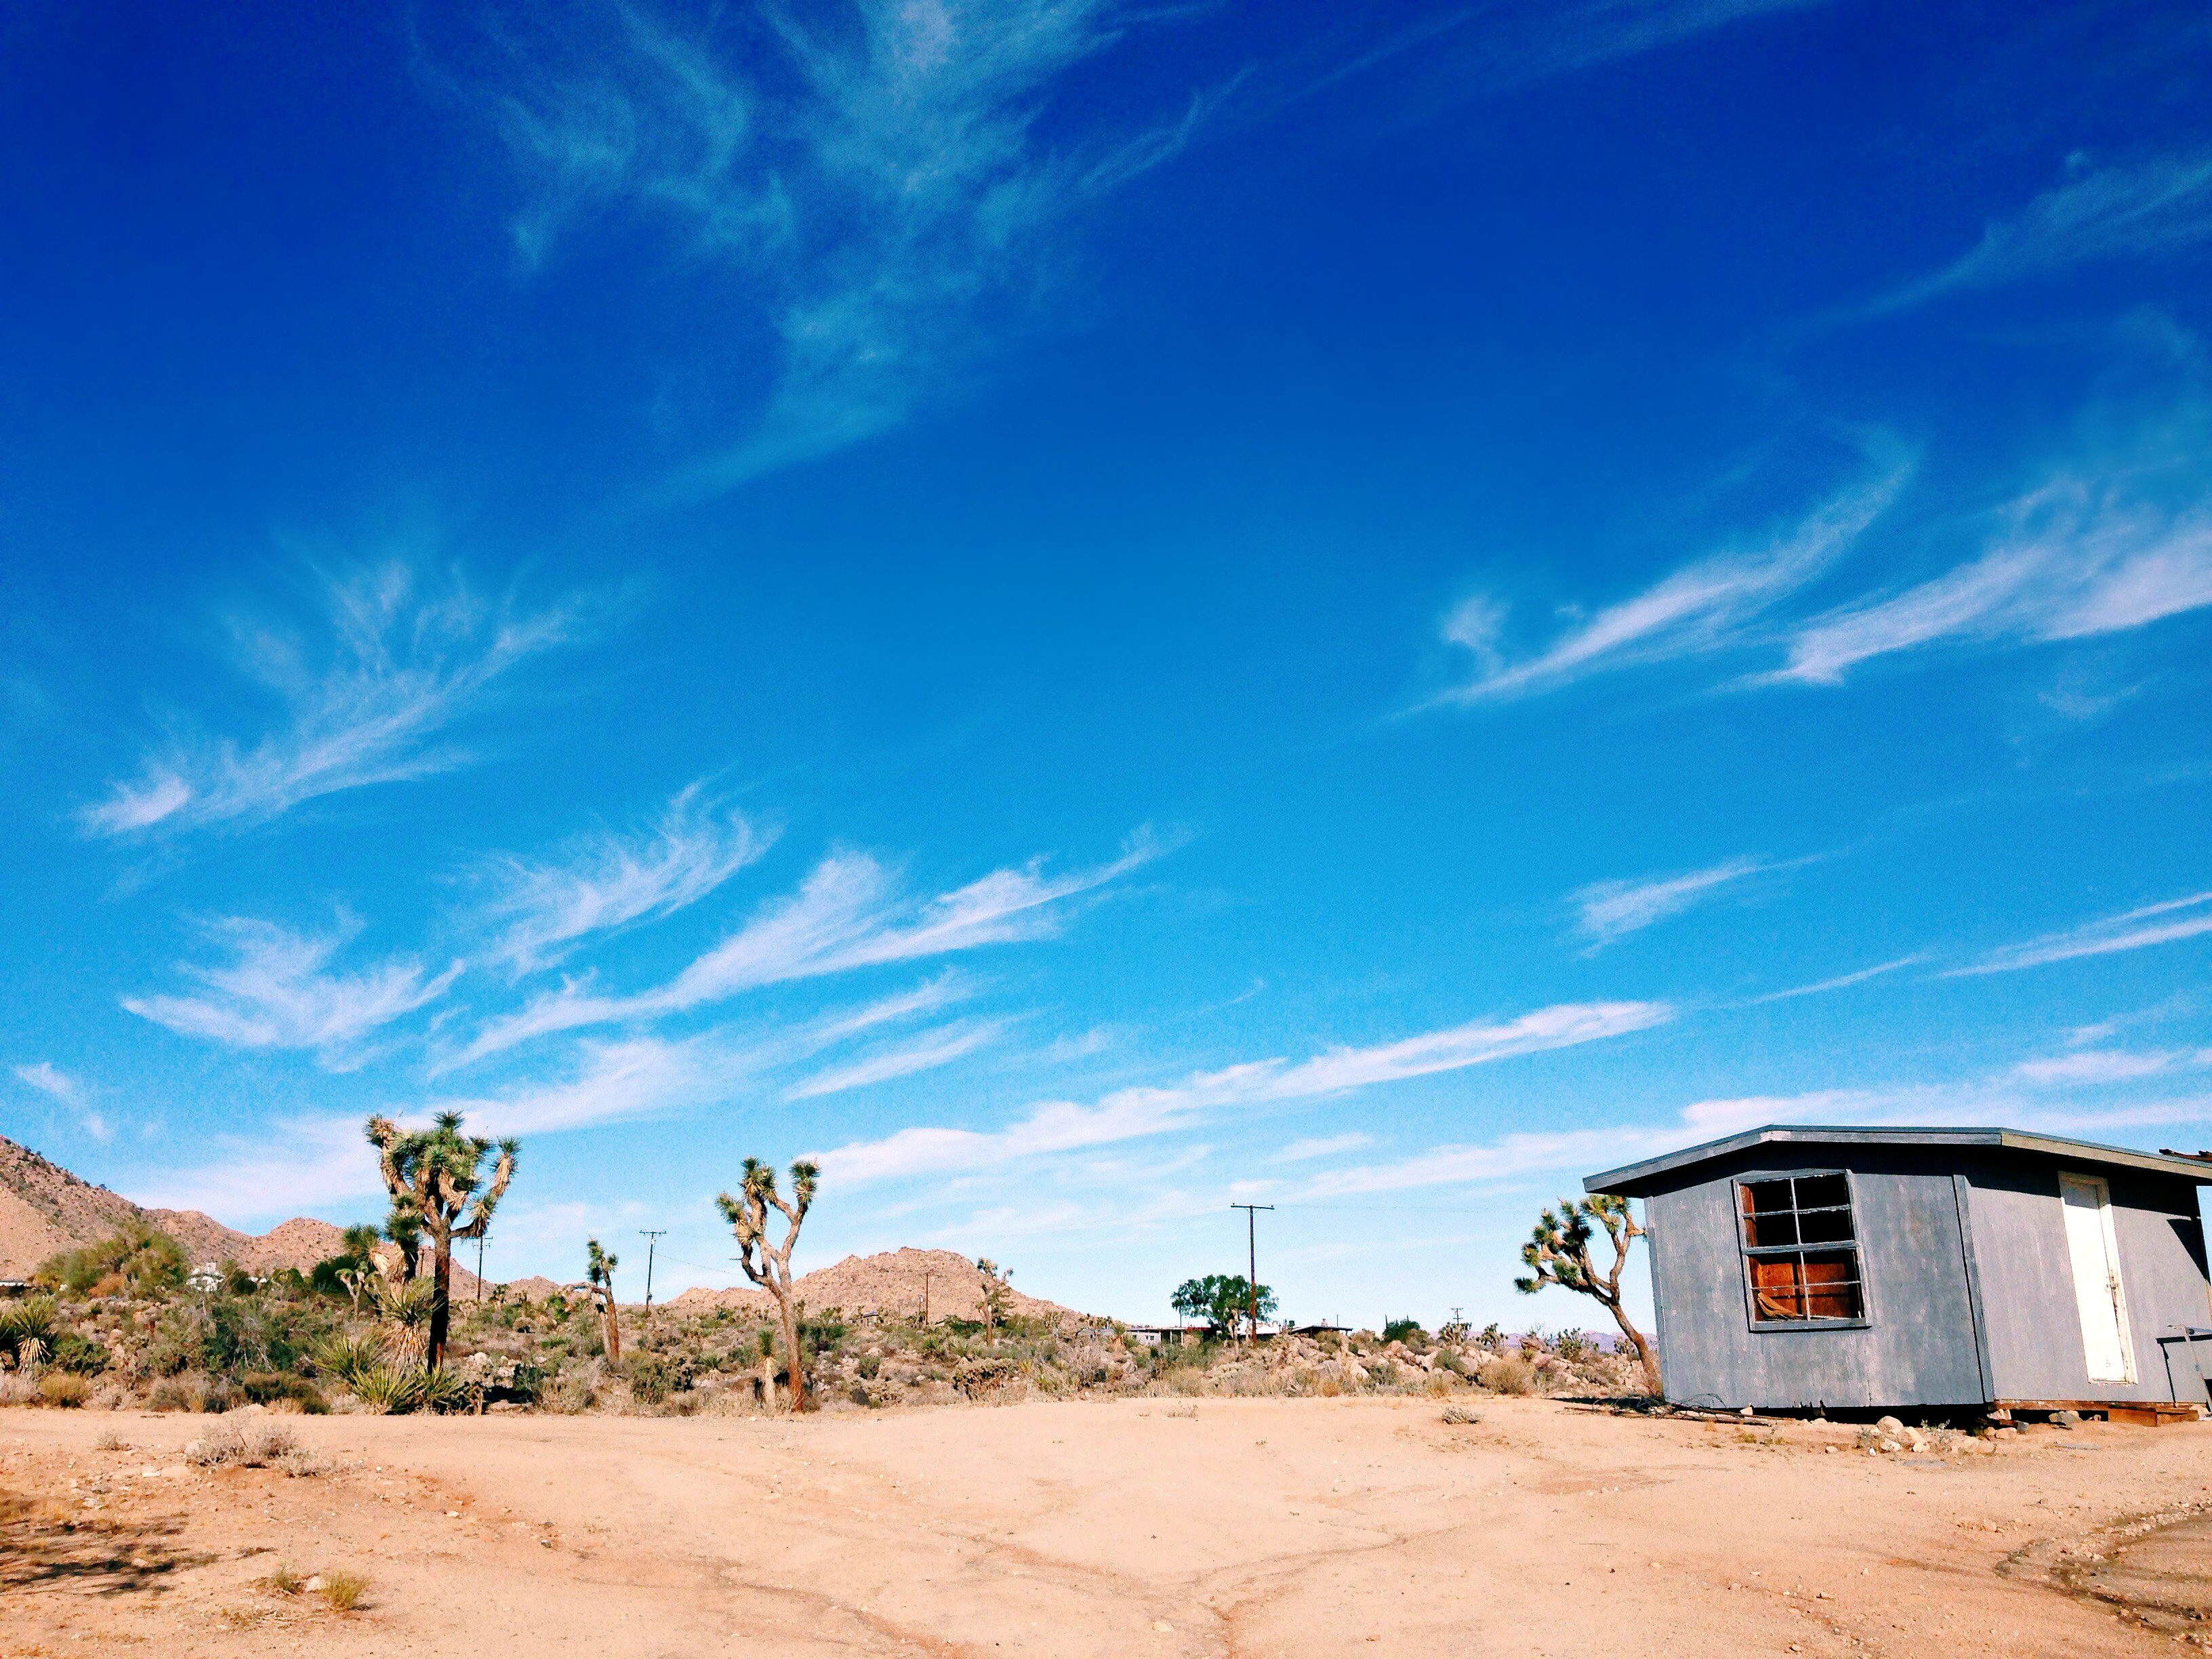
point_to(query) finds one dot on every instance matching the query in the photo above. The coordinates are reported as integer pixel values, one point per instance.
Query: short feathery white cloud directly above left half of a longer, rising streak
(609, 881)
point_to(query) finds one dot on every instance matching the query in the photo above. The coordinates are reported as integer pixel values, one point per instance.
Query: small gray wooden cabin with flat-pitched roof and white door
(1799, 1269)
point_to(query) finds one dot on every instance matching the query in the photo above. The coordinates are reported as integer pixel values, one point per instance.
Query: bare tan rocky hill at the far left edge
(45, 1209)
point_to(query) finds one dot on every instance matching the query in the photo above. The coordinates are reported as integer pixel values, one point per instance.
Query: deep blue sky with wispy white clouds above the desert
(1098, 612)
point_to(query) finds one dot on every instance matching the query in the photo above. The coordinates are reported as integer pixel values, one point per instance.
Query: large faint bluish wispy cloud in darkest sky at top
(868, 176)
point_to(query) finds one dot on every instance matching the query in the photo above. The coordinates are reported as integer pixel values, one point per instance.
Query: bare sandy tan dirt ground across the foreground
(1134, 1527)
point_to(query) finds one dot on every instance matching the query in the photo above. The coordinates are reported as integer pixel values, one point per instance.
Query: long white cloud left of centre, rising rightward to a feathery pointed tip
(851, 912)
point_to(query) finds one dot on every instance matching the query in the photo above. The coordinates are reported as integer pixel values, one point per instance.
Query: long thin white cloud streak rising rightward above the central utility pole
(1131, 1114)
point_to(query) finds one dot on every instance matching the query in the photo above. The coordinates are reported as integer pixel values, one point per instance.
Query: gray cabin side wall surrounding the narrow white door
(2030, 1295)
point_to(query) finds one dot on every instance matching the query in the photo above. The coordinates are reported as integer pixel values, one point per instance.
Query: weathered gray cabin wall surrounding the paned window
(1919, 1344)
